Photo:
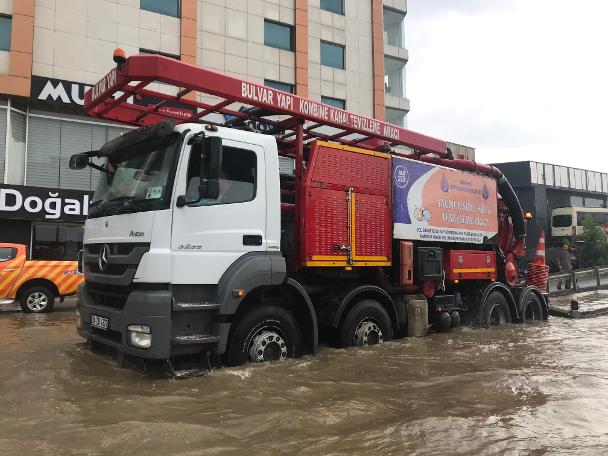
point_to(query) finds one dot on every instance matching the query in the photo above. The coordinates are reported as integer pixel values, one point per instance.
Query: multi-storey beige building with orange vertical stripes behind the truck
(348, 53)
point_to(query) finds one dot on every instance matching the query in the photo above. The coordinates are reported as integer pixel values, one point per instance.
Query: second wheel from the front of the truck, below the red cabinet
(366, 323)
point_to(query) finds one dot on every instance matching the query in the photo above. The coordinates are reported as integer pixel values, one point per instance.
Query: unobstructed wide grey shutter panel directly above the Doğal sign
(43, 152)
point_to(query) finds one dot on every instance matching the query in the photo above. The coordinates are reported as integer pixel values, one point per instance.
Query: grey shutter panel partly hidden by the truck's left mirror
(75, 138)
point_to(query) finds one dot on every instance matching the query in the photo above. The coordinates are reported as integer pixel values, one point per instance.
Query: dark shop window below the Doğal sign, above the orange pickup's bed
(54, 241)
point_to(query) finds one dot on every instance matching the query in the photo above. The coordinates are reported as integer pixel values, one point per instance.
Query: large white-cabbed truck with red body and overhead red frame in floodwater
(195, 244)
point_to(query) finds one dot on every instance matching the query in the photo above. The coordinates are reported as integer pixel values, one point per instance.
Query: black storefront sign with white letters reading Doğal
(37, 203)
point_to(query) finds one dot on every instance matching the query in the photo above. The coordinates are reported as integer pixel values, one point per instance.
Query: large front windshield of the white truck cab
(137, 179)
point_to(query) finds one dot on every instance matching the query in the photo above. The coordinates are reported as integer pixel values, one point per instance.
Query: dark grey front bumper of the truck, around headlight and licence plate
(142, 307)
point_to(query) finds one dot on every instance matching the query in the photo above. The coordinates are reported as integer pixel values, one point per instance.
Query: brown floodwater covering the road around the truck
(520, 390)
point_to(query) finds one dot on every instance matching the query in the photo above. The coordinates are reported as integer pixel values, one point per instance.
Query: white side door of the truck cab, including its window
(208, 235)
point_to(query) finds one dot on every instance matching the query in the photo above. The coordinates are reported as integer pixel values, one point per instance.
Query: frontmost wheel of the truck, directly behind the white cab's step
(268, 333)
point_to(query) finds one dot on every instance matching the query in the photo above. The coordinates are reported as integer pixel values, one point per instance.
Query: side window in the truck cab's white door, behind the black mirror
(237, 177)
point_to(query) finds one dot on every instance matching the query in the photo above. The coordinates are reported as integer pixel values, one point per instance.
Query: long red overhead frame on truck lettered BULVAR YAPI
(112, 98)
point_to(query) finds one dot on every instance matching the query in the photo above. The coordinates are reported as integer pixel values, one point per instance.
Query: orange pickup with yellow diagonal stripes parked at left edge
(35, 283)
